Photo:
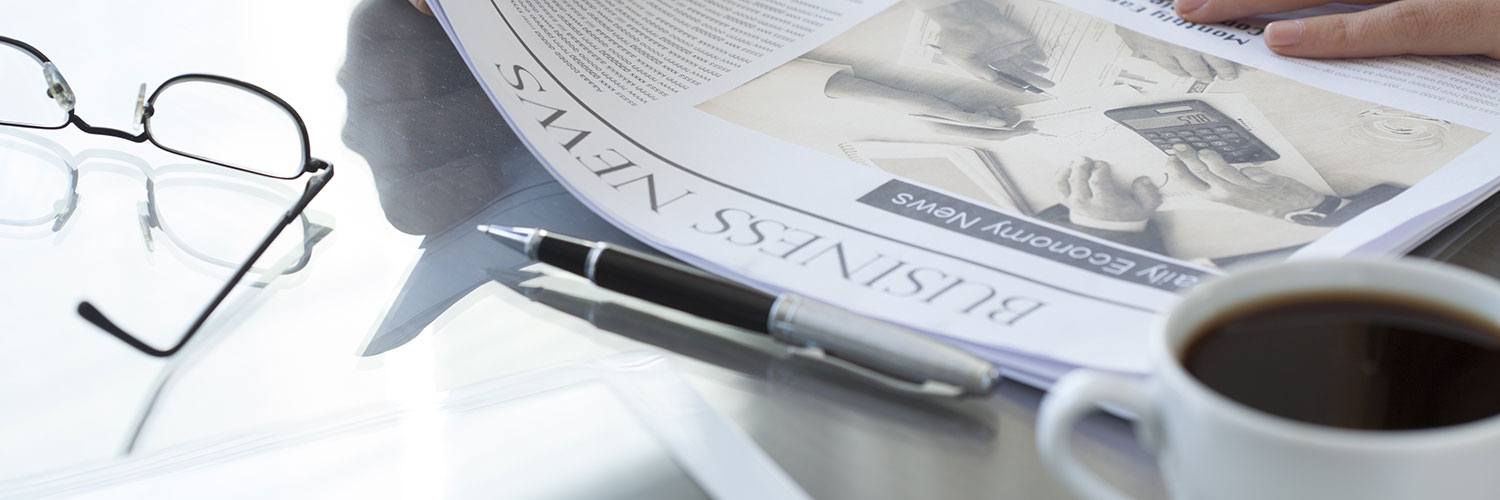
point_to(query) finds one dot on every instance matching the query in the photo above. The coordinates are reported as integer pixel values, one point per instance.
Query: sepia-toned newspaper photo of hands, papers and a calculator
(1096, 128)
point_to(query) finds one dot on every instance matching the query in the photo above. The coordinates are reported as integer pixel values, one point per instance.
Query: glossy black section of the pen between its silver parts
(680, 288)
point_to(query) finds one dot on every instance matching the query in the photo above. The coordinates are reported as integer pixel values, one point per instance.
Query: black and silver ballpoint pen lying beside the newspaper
(847, 337)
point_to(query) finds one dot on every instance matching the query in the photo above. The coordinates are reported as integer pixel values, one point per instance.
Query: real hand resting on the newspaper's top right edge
(1429, 28)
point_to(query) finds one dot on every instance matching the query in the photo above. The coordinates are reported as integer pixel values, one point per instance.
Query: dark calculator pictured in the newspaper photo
(1195, 124)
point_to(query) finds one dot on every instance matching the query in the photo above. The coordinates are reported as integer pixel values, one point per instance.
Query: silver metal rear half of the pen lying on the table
(878, 345)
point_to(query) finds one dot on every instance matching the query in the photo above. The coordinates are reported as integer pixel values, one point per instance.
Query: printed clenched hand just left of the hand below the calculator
(1091, 194)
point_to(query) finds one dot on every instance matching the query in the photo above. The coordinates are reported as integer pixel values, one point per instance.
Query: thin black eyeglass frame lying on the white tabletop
(319, 170)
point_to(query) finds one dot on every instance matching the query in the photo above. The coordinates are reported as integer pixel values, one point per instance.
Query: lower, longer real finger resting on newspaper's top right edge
(1427, 28)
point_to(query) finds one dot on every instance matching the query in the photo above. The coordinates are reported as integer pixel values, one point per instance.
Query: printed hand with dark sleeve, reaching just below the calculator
(1252, 188)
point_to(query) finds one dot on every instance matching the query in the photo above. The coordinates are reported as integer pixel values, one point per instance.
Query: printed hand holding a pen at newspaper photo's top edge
(976, 37)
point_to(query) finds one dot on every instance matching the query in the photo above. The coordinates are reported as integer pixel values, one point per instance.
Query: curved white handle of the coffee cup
(1073, 399)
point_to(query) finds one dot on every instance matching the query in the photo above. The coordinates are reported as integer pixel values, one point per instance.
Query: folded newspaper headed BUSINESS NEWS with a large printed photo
(1034, 181)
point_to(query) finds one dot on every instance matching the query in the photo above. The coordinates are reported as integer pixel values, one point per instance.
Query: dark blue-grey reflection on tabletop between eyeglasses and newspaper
(443, 161)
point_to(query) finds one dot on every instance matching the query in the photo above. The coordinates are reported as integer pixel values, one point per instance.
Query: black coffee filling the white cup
(1352, 361)
